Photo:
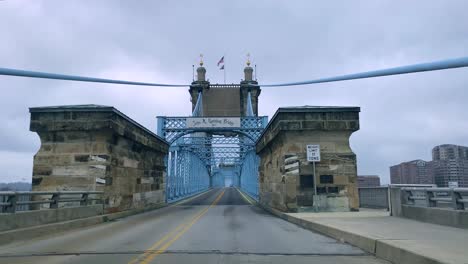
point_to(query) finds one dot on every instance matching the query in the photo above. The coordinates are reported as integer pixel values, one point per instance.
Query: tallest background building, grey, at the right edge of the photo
(450, 164)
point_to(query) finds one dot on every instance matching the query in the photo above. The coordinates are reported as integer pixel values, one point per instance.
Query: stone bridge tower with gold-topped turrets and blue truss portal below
(215, 146)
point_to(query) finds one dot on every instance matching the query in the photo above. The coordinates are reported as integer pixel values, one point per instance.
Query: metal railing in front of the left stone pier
(12, 201)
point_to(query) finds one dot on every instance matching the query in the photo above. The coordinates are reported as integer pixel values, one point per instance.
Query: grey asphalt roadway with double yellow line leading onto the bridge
(219, 226)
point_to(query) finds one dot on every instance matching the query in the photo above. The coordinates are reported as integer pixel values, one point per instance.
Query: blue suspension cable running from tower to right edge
(422, 67)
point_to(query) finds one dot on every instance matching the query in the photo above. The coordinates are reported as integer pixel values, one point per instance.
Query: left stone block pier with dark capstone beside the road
(92, 147)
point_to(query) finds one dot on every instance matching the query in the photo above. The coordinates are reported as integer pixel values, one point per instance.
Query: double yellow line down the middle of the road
(166, 241)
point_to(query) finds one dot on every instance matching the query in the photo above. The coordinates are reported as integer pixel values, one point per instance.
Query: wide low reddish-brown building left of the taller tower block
(412, 172)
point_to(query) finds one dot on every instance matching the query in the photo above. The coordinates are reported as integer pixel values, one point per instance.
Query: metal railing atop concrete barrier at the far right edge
(455, 198)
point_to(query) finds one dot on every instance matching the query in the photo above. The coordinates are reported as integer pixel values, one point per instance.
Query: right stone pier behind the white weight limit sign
(287, 179)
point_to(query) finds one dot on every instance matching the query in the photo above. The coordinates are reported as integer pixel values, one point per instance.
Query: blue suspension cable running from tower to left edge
(45, 75)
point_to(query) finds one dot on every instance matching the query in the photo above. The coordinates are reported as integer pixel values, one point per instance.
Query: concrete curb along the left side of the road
(21, 234)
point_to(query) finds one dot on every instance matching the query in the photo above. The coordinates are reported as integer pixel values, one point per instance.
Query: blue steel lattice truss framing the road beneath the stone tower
(200, 158)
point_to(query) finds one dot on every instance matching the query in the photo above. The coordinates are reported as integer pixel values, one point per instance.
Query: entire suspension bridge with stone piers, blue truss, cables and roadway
(212, 176)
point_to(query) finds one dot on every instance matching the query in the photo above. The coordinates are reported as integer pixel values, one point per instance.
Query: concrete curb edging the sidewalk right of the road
(381, 248)
